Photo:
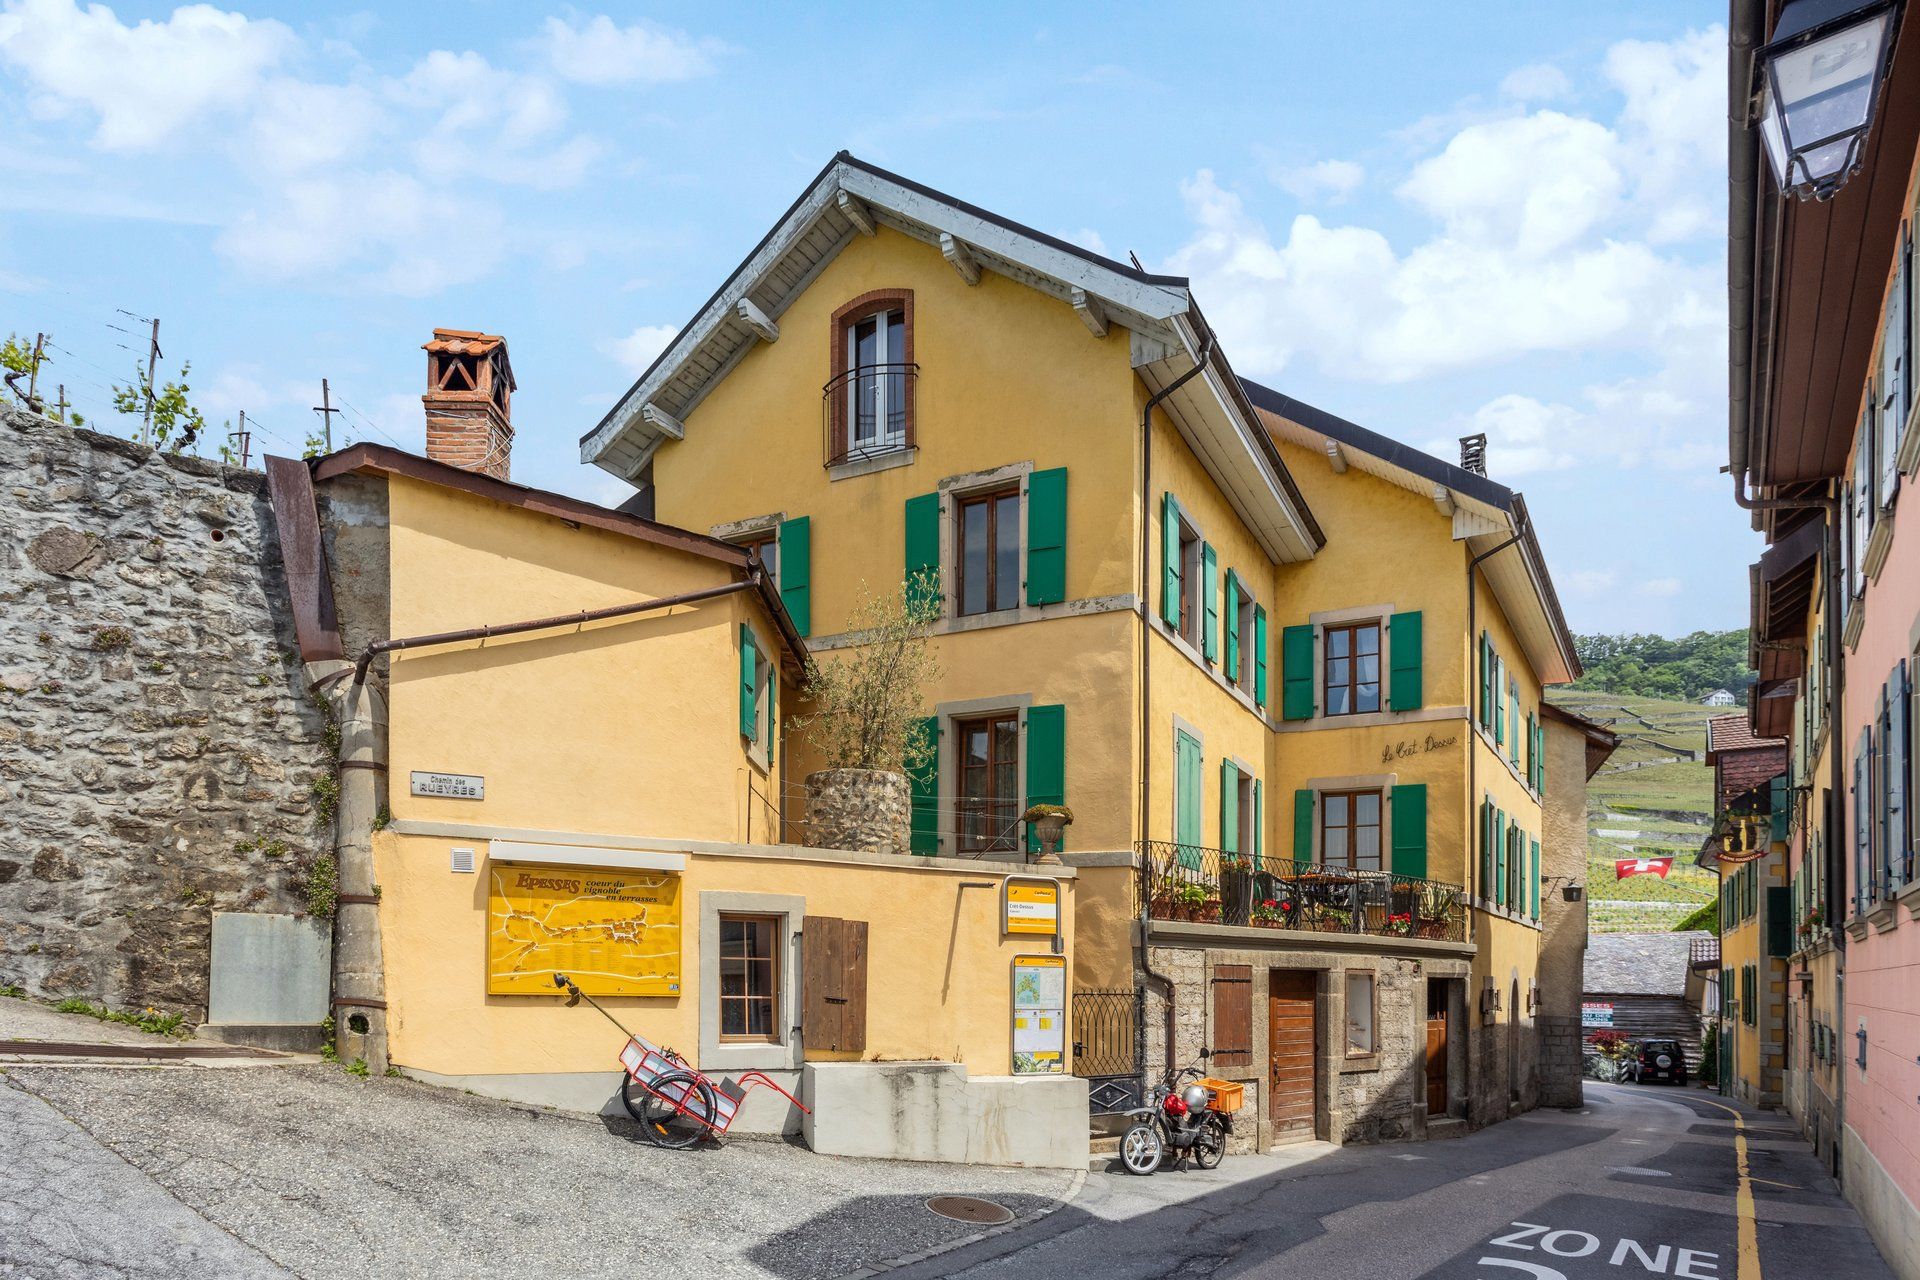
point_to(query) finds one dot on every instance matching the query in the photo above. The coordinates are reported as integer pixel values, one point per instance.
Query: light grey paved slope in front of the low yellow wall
(329, 1175)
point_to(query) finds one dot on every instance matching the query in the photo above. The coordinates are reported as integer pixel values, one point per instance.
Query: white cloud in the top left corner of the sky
(143, 83)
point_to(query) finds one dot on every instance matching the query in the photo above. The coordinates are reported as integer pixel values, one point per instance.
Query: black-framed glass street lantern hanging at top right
(1821, 82)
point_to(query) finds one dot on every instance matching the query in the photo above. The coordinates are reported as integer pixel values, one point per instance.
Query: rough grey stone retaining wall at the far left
(158, 755)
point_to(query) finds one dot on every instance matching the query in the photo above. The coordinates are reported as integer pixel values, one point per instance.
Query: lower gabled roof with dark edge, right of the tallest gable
(1485, 515)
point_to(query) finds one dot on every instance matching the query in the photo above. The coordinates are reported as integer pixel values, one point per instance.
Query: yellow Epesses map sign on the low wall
(617, 934)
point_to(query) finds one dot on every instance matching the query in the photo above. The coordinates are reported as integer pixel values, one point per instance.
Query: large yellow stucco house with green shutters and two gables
(1285, 673)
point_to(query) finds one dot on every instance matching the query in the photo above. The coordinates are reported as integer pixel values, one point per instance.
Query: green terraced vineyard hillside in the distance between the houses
(1652, 799)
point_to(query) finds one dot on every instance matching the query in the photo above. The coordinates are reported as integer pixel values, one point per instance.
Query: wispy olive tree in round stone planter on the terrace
(867, 724)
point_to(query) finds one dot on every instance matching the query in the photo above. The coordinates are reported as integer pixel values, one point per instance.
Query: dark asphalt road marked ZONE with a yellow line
(1643, 1183)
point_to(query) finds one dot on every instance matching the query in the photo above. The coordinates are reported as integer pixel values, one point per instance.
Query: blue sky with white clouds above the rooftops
(1431, 220)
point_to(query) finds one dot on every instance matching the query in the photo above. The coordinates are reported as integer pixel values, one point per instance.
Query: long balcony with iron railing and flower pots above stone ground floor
(1211, 886)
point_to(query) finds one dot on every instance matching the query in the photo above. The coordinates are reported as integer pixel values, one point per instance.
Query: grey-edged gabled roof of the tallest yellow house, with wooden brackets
(852, 199)
